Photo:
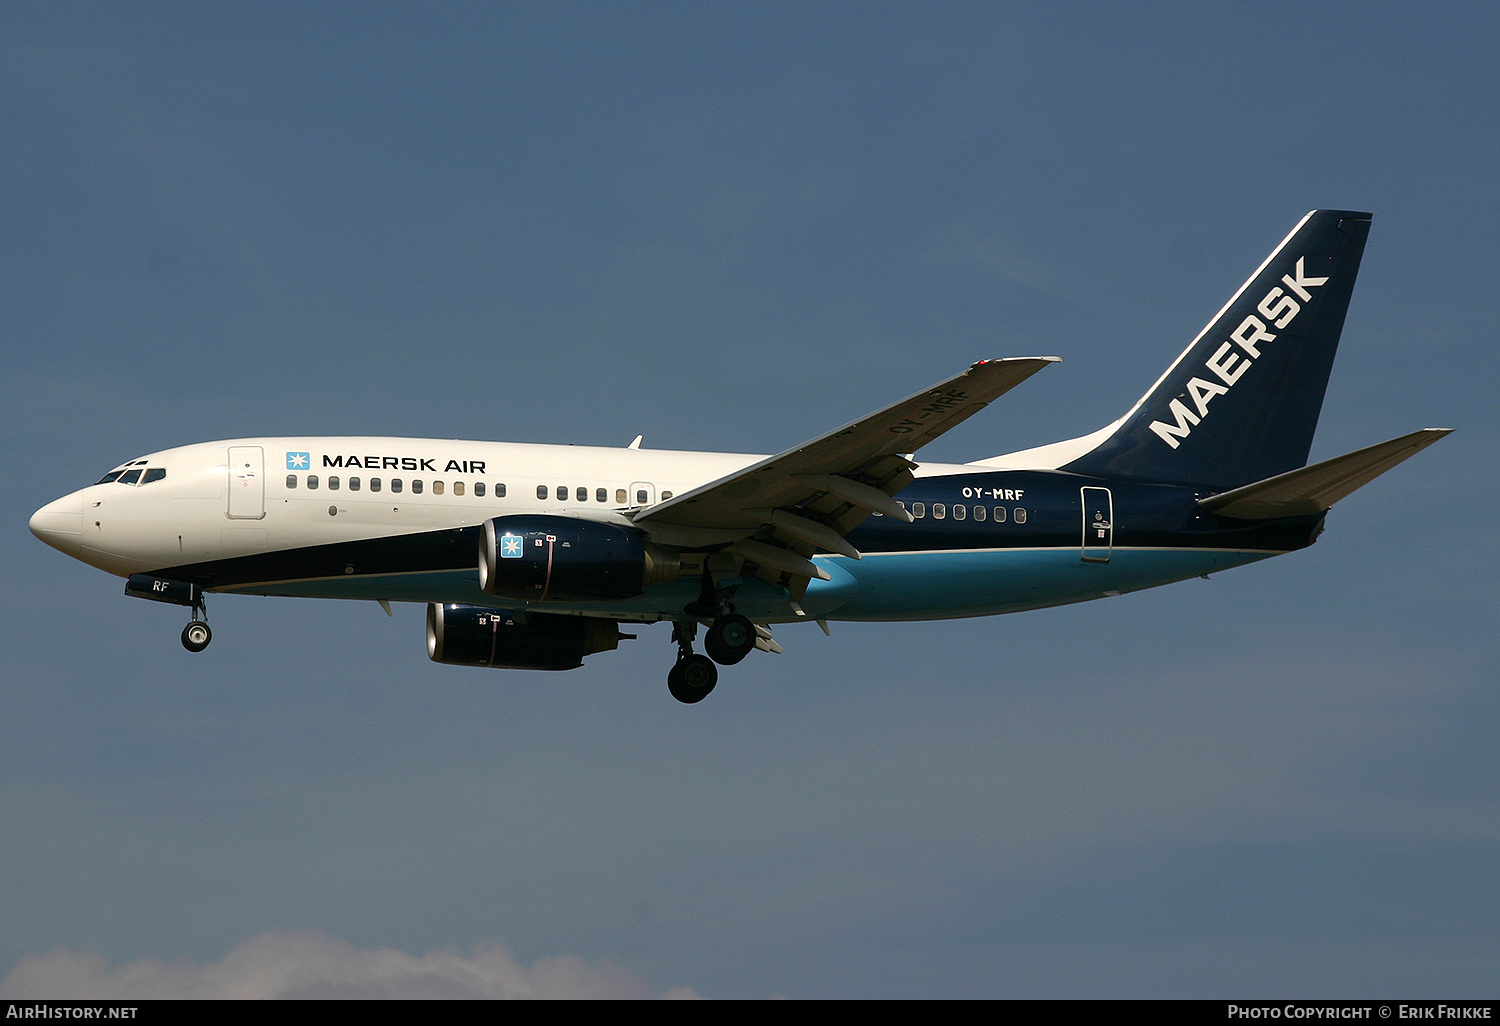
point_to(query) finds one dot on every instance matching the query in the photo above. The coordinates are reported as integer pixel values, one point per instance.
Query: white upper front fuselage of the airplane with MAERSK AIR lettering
(209, 506)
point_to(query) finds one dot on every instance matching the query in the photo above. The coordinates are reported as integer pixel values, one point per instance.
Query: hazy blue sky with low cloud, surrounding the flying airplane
(734, 227)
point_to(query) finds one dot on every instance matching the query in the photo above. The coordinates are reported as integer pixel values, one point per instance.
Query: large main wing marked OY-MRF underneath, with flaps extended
(802, 502)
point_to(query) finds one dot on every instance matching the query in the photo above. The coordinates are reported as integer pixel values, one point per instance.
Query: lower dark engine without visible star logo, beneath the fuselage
(481, 637)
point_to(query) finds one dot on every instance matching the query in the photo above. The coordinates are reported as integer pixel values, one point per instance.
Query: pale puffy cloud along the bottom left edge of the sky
(314, 965)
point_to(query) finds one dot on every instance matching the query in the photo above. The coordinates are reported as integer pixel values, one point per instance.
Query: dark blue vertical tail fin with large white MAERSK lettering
(1243, 401)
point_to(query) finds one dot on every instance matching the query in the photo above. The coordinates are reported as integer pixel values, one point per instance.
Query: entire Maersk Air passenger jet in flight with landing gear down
(533, 557)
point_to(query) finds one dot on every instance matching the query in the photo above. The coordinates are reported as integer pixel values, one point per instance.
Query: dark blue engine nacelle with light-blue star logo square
(535, 557)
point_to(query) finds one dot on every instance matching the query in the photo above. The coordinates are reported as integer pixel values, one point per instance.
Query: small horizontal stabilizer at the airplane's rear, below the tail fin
(1313, 490)
